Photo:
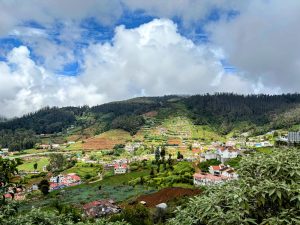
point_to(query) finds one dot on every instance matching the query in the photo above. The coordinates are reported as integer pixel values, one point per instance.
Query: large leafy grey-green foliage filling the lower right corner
(268, 192)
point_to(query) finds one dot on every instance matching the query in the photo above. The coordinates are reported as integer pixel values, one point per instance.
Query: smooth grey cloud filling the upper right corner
(263, 42)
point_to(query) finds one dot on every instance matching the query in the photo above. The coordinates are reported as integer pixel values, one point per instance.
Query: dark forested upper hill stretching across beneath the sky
(224, 110)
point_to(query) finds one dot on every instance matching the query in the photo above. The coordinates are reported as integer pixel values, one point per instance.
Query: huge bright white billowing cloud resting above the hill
(153, 59)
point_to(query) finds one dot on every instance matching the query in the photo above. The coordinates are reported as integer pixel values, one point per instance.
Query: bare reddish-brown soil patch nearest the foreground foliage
(166, 195)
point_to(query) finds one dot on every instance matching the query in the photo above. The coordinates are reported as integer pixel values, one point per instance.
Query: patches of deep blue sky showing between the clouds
(96, 32)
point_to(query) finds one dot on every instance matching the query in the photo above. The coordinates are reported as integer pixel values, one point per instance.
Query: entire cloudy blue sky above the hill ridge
(89, 52)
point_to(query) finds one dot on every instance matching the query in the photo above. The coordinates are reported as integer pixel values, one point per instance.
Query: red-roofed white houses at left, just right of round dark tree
(62, 181)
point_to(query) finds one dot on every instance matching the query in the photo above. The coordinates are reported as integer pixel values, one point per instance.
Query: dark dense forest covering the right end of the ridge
(229, 109)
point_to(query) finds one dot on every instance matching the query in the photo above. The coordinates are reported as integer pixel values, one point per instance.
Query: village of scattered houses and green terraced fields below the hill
(142, 163)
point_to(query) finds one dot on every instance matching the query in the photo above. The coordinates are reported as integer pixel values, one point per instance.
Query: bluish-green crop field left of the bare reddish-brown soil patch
(112, 187)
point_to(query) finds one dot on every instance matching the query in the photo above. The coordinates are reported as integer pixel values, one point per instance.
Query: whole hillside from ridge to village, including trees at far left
(220, 113)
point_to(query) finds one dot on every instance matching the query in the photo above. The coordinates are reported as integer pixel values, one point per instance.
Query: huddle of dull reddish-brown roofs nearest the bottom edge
(100, 208)
